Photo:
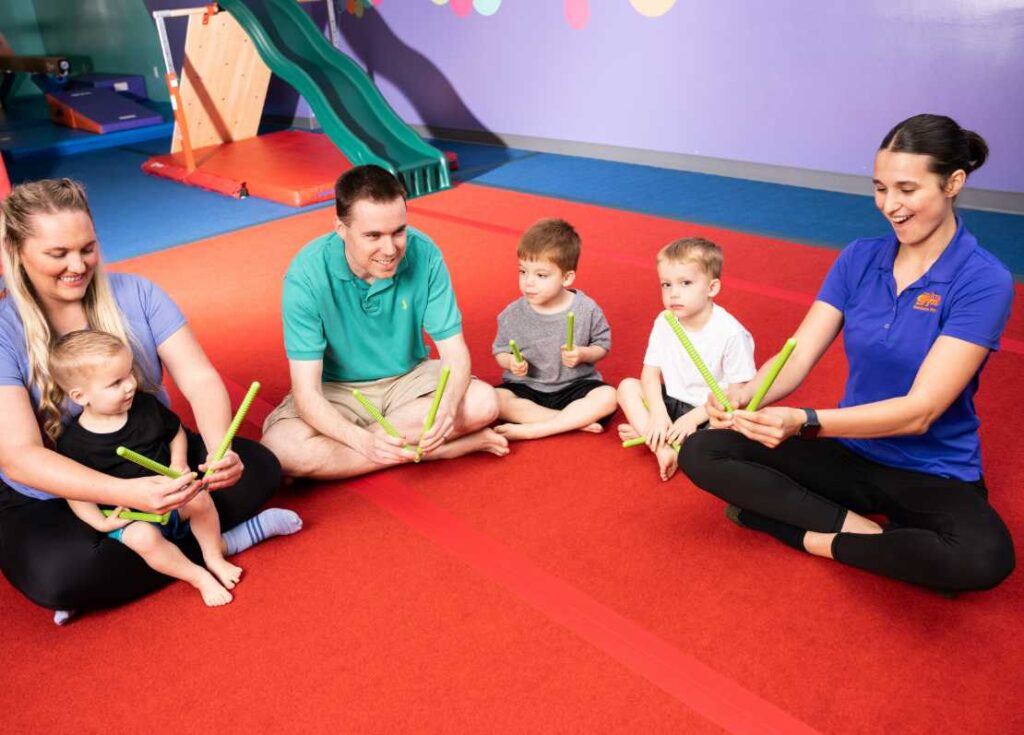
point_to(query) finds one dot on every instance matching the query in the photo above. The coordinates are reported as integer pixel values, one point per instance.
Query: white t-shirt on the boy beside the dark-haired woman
(723, 344)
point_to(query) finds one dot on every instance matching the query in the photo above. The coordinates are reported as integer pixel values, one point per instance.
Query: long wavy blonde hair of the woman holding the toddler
(25, 202)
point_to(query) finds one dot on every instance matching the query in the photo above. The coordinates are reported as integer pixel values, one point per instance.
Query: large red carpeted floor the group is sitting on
(564, 589)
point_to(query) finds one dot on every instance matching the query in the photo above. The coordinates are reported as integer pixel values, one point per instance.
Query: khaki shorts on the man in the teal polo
(388, 395)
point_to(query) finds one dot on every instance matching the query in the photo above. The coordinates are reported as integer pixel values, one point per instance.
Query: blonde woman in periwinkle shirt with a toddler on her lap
(55, 285)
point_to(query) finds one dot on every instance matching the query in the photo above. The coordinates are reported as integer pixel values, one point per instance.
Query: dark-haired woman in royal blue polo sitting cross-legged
(920, 312)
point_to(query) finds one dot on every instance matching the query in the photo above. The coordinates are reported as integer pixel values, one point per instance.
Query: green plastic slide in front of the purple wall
(350, 108)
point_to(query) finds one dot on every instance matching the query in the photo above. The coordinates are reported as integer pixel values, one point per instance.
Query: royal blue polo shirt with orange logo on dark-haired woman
(966, 294)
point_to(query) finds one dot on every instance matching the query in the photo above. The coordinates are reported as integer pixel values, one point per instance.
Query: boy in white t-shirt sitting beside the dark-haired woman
(689, 271)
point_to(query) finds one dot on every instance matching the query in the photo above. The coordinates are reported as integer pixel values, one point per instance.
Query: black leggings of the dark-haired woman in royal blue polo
(944, 534)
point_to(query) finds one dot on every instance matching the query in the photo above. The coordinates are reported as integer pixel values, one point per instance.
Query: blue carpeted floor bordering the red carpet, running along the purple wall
(140, 214)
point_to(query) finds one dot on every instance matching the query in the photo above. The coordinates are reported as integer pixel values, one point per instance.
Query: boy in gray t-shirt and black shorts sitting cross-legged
(553, 388)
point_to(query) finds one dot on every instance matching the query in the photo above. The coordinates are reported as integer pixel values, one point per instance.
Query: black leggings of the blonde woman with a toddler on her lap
(60, 563)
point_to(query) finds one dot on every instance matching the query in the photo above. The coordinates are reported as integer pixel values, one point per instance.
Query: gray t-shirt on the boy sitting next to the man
(540, 338)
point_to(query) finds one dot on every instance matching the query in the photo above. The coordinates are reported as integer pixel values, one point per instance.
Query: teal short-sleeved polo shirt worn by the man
(362, 331)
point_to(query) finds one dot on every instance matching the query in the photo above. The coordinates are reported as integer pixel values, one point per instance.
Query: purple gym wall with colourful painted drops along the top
(812, 85)
